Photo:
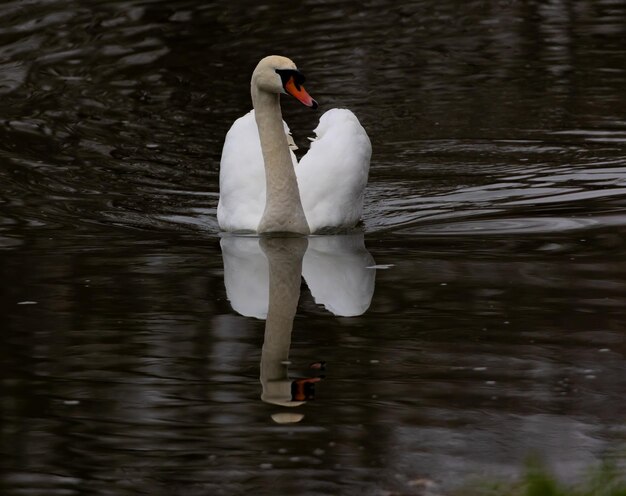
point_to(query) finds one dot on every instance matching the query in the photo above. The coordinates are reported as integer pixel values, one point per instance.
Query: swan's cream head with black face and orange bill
(276, 74)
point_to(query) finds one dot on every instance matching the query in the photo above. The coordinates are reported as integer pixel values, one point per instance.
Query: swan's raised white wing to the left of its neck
(242, 176)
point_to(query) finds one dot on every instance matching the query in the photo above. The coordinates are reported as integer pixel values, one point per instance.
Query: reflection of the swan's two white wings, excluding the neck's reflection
(334, 268)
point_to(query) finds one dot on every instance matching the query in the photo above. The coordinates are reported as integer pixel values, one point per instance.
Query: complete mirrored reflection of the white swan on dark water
(262, 278)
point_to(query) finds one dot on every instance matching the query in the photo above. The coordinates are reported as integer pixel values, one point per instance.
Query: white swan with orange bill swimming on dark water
(263, 188)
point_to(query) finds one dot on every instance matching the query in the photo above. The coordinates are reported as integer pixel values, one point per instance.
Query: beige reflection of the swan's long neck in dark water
(284, 256)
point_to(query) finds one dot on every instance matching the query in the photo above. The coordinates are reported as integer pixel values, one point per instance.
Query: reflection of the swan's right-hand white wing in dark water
(335, 269)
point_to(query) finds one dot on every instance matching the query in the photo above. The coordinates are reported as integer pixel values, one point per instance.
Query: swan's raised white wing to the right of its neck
(333, 174)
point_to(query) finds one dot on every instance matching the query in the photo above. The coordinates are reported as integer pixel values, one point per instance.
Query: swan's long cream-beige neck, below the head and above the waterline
(283, 207)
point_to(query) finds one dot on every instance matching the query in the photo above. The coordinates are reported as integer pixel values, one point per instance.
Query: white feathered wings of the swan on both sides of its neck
(332, 175)
